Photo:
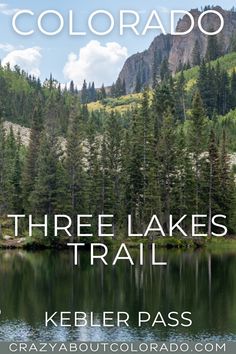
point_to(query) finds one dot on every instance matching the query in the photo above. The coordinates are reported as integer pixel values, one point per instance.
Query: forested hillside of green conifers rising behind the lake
(166, 153)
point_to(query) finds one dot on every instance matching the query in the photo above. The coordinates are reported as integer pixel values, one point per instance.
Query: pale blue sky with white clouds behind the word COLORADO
(91, 57)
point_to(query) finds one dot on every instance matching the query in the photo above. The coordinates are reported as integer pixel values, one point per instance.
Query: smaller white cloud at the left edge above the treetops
(28, 59)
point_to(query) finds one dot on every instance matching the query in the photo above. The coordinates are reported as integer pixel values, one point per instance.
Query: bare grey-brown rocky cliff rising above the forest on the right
(177, 49)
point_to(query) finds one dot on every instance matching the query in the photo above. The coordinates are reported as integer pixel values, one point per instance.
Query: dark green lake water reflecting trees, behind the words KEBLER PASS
(201, 282)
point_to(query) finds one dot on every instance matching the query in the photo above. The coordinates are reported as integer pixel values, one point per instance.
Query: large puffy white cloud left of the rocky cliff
(95, 62)
